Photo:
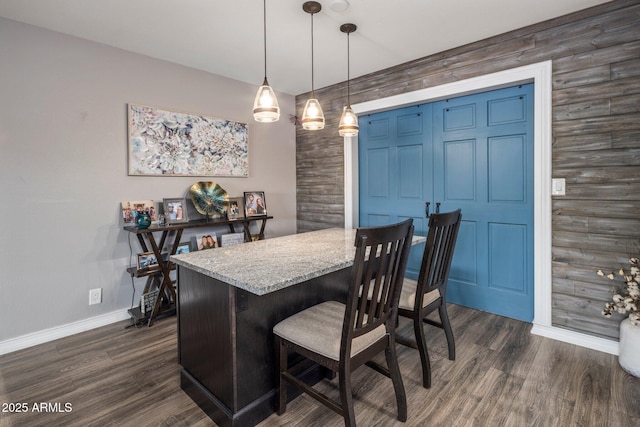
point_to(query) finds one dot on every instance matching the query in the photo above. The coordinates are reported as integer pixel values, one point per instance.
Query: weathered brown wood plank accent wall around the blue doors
(596, 143)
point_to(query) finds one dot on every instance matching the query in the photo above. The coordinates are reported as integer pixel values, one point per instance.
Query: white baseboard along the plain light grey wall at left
(40, 337)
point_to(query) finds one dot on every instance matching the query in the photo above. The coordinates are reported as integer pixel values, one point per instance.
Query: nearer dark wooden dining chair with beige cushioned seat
(343, 337)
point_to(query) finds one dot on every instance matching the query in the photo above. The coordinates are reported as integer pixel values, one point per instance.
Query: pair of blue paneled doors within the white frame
(475, 153)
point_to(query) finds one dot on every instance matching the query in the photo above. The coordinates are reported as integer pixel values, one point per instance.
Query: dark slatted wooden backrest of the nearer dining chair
(378, 269)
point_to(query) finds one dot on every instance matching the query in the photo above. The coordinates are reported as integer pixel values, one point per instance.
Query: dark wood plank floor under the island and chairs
(503, 376)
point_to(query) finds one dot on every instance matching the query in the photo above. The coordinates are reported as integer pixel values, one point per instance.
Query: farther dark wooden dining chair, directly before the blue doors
(422, 297)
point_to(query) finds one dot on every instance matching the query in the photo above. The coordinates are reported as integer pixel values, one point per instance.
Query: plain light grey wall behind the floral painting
(63, 168)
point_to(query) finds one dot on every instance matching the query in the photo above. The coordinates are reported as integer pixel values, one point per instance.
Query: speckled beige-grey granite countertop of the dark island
(269, 265)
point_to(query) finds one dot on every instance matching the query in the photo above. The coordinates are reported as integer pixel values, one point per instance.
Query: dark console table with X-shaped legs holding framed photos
(160, 277)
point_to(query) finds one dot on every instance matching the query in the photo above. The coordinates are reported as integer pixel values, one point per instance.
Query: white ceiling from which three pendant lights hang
(226, 37)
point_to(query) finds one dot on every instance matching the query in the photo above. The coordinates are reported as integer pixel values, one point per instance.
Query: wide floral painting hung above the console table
(168, 143)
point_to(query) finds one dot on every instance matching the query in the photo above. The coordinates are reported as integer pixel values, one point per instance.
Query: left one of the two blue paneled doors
(395, 171)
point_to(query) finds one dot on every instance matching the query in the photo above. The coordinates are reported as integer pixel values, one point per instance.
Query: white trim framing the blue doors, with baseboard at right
(541, 75)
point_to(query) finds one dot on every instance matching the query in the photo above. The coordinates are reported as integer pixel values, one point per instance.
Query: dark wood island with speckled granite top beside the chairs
(230, 298)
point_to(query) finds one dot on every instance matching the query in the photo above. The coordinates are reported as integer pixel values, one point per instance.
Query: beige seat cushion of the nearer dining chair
(319, 329)
